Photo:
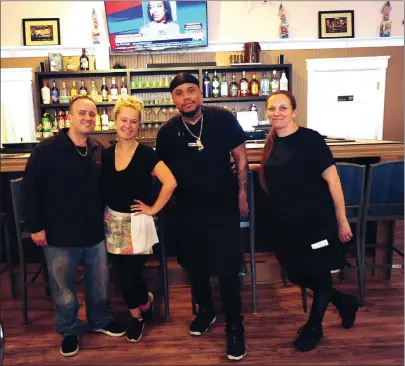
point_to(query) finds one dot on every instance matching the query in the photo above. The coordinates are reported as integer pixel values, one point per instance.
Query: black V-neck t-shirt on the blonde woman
(121, 188)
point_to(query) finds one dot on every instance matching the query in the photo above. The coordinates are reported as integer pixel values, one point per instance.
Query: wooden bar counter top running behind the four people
(385, 150)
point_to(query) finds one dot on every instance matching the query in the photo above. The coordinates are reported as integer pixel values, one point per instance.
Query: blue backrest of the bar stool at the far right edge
(385, 191)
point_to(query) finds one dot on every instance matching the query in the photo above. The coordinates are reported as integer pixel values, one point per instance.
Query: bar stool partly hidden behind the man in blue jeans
(22, 234)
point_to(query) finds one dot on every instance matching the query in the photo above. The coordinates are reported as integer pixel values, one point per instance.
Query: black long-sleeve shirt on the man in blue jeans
(61, 192)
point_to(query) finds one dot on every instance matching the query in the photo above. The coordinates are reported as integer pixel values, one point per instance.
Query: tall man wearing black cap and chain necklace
(196, 145)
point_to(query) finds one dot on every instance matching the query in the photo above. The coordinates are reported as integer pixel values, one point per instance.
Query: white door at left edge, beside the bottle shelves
(17, 106)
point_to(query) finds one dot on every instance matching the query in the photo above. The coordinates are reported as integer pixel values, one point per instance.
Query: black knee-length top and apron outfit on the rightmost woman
(302, 211)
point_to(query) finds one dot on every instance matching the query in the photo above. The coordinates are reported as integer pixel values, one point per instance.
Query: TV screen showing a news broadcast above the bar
(155, 25)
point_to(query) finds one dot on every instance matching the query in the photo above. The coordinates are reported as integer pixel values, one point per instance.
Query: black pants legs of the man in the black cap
(229, 290)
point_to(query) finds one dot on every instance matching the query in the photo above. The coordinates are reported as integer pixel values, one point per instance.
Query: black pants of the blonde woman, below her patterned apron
(128, 269)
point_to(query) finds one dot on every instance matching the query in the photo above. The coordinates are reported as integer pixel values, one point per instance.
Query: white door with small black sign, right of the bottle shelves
(346, 96)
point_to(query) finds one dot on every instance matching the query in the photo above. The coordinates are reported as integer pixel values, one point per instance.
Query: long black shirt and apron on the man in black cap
(206, 198)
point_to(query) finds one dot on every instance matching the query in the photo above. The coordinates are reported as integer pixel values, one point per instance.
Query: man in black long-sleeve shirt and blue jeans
(63, 210)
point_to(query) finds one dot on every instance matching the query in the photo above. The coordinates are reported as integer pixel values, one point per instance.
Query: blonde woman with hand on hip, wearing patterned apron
(130, 206)
